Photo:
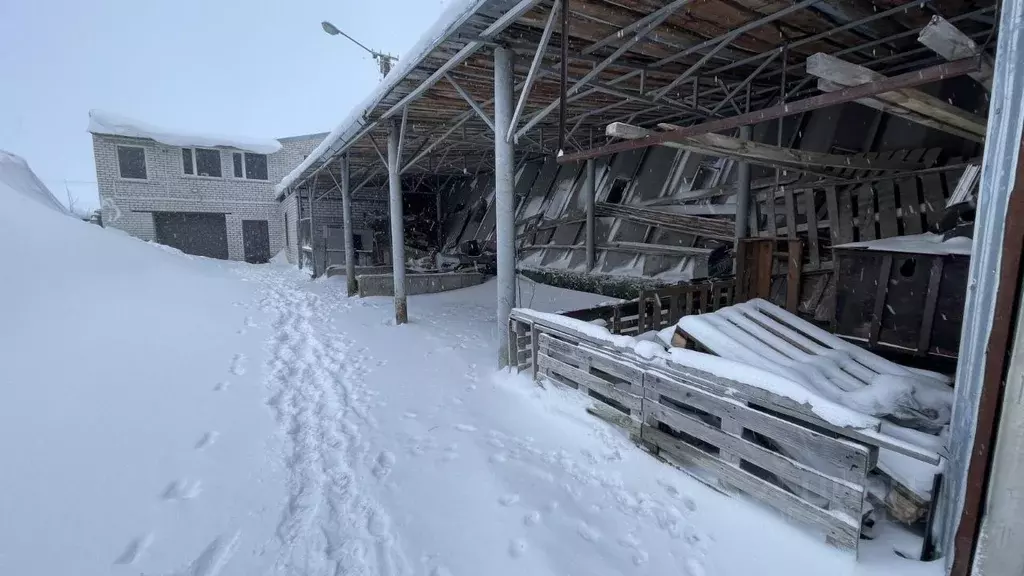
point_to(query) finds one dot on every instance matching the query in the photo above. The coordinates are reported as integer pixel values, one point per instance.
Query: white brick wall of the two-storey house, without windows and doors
(129, 204)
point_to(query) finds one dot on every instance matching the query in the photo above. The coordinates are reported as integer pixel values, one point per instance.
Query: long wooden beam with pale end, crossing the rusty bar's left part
(766, 155)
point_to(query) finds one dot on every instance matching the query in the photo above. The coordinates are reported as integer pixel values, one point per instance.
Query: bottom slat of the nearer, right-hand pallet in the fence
(841, 532)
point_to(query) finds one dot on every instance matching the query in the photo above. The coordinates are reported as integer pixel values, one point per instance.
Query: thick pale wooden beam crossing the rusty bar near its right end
(849, 74)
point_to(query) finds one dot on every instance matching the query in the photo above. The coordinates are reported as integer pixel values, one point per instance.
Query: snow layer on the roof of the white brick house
(102, 122)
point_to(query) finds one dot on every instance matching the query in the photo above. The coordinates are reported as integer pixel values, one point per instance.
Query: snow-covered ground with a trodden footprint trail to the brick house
(165, 415)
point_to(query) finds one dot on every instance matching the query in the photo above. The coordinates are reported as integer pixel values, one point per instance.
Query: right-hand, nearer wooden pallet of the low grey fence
(745, 448)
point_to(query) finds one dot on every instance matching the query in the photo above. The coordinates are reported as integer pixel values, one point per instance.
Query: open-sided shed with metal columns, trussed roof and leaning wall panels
(622, 146)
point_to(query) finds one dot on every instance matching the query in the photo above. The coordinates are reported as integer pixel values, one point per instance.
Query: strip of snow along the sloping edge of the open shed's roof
(455, 14)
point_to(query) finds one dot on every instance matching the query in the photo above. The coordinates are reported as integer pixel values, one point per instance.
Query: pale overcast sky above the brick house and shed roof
(258, 68)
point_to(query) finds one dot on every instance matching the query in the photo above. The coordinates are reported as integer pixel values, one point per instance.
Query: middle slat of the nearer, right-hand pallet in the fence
(848, 497)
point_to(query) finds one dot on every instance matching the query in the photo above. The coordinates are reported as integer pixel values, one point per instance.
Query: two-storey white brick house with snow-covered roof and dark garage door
(207, 195)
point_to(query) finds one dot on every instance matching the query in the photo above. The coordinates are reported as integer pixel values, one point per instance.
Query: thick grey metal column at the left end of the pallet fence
(504, 201)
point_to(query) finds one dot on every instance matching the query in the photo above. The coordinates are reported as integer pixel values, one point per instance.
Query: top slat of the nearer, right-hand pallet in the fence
(844, 456)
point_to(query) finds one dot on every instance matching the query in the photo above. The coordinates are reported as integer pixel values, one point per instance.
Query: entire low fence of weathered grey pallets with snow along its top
(707, 424)
